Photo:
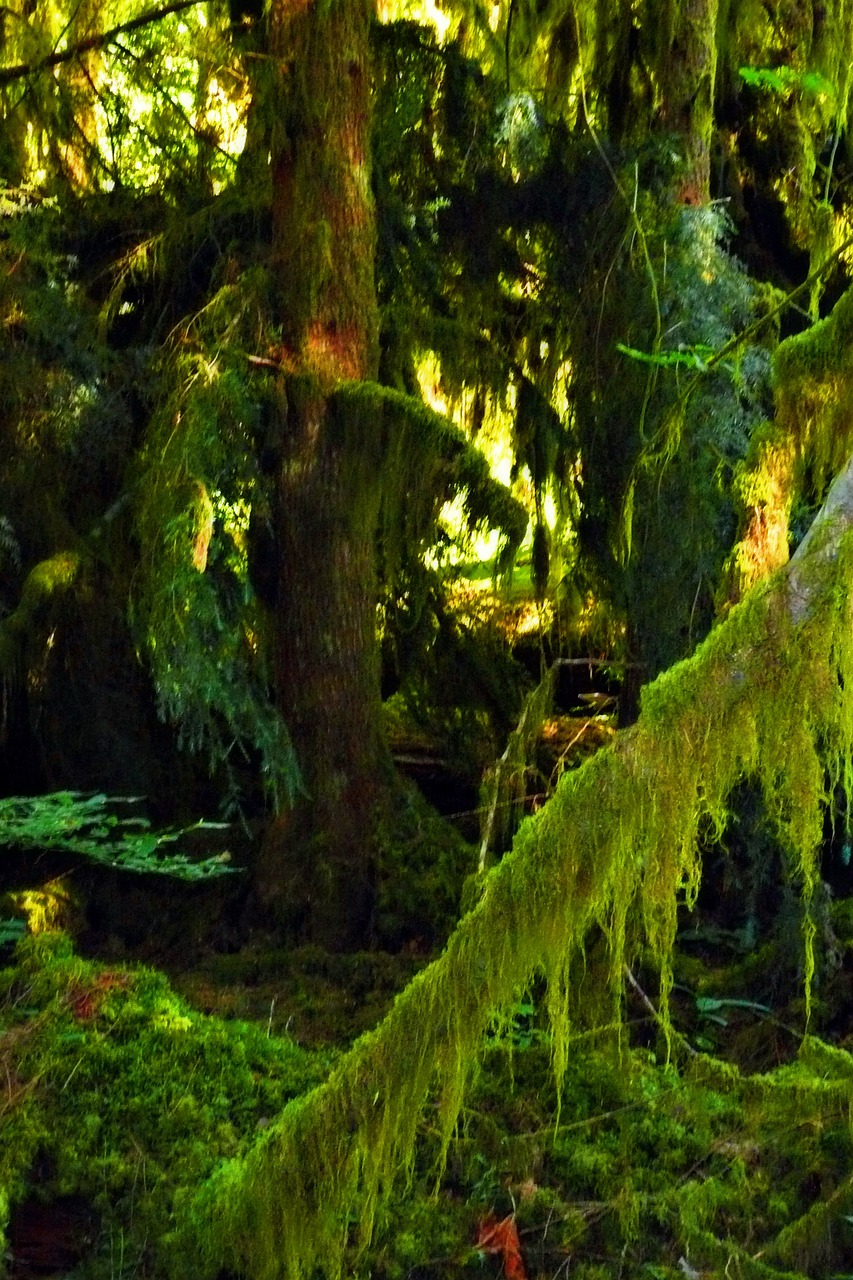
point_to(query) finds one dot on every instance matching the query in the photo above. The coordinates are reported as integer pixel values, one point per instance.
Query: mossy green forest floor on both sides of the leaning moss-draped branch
(121, 1098)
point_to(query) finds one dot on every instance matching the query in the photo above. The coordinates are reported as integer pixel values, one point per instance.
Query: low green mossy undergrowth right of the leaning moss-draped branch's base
(650, 1172)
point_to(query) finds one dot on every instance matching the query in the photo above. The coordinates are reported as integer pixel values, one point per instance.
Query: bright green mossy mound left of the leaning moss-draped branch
(122, 1095)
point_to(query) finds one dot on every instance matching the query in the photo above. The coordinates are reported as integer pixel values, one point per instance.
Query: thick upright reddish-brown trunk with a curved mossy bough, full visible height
(316, 870)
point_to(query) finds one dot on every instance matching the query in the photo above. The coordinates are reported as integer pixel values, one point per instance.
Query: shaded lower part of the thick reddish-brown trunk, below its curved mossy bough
(317, 865)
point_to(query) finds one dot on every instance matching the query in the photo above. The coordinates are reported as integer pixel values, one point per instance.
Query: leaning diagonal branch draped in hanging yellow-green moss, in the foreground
(767, 697)
